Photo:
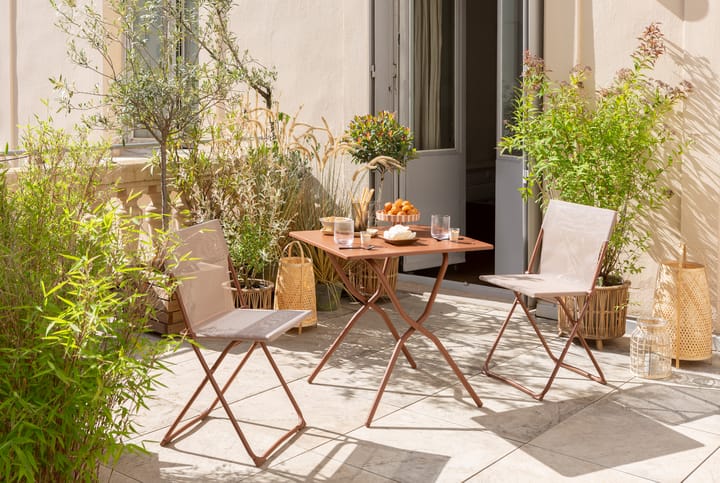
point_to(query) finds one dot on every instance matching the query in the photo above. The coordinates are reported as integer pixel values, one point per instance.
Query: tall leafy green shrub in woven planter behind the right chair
(609, 149)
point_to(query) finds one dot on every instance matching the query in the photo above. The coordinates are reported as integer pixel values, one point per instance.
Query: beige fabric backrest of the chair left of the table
(203, 271)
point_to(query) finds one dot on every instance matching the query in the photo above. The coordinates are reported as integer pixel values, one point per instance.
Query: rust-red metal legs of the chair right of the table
(558, 360)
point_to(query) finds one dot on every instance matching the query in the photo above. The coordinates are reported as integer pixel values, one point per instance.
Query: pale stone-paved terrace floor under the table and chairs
(427, 428)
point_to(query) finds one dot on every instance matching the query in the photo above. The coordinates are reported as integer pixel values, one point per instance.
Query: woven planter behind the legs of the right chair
(605, 317)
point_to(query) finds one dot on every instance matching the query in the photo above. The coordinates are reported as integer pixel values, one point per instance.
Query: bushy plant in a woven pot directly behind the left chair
(246, 172)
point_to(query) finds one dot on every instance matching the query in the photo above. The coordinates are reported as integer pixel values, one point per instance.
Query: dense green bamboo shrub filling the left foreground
(74, 361)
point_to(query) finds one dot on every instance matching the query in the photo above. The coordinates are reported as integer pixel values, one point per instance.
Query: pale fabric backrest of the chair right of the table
(573, 239)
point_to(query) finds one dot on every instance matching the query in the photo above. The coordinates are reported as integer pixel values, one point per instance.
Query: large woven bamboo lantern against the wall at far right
(682, 298)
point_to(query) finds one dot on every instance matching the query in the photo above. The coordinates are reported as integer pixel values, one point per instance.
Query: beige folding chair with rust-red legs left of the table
(204, 272)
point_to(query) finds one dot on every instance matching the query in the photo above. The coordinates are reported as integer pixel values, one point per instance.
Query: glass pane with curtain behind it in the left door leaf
(433, 51)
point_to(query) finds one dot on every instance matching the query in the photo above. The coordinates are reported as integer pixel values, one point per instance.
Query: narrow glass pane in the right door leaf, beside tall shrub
(511, 55)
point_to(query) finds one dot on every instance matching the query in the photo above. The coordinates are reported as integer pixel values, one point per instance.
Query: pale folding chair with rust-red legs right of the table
(571, 246)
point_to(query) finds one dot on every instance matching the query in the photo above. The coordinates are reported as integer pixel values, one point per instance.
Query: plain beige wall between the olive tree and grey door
(321, 50)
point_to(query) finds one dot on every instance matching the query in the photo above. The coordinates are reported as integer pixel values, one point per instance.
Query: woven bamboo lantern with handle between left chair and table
(295, 284)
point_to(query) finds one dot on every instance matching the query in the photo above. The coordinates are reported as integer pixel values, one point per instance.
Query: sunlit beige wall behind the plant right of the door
(608, 33)
